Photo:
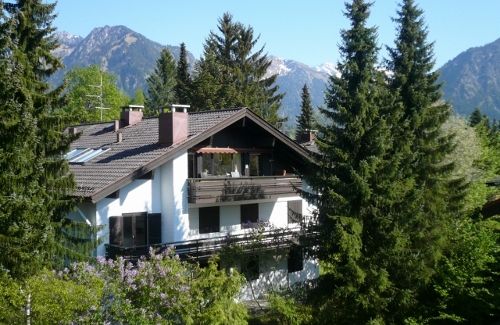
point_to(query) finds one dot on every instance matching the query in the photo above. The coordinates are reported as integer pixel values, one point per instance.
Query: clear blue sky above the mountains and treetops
(306, 31)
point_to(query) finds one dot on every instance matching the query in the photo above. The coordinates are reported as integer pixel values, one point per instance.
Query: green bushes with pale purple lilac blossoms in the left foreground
(161, 290)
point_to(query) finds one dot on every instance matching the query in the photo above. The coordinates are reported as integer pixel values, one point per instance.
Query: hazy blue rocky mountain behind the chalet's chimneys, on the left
(117, 49)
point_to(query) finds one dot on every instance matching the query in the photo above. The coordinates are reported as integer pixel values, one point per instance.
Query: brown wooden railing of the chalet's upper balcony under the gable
(231, 189)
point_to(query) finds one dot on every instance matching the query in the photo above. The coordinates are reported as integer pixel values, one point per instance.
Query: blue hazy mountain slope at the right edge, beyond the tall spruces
(472, 79)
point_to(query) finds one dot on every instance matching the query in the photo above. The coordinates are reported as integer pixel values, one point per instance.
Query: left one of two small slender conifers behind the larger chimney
(161, 84)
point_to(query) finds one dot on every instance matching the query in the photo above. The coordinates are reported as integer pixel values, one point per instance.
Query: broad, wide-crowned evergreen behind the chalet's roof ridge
(232, 74)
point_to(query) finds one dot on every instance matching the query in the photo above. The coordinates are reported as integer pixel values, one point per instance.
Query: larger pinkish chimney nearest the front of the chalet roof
(173, 126)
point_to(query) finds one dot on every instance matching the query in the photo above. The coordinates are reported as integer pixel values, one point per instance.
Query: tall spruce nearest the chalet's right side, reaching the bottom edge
(358, 235)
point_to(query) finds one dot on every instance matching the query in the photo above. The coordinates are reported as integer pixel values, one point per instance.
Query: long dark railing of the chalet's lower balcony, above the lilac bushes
(200, 248)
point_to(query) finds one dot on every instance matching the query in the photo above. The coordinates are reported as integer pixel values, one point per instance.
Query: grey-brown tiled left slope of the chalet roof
(139, 148)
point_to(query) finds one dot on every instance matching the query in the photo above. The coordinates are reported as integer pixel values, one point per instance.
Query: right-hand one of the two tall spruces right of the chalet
(420, 140)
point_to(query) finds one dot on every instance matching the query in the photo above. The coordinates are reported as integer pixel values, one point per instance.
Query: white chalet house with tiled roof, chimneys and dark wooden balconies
(198, 182)
